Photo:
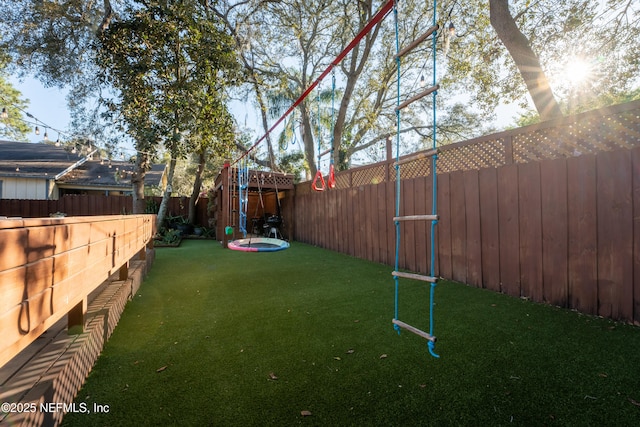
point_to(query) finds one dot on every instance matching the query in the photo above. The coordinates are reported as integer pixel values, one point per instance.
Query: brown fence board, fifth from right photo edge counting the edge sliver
(530, 231)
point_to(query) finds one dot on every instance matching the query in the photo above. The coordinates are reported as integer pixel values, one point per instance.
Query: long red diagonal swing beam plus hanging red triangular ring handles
(379, 16)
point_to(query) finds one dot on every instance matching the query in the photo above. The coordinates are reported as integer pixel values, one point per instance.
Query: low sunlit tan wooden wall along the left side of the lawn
(48, 267)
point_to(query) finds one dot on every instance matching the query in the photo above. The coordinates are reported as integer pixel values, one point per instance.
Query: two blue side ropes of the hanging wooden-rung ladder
(431, 344)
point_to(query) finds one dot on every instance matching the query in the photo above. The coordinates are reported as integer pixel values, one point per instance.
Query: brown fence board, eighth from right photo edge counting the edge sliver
(473, 235)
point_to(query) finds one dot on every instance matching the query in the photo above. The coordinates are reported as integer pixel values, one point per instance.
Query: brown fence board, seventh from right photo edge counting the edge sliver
(489, 229)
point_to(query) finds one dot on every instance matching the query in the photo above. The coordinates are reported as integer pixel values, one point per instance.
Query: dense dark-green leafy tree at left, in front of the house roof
(170, 63)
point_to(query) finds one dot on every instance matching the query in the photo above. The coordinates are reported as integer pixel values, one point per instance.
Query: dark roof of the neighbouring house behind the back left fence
(44, 161)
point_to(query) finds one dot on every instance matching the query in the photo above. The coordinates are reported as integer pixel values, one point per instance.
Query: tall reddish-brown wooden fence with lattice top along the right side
(555, 219)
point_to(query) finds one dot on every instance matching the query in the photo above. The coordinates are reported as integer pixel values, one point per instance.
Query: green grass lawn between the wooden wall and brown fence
(217, 337)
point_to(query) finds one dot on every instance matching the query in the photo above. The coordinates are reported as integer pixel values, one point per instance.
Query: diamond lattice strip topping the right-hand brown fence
(605, 129)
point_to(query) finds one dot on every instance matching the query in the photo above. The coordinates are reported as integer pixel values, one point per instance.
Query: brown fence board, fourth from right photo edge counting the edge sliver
(553, 175)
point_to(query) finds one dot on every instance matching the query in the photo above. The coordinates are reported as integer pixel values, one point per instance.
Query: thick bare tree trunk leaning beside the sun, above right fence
(526, 60)
